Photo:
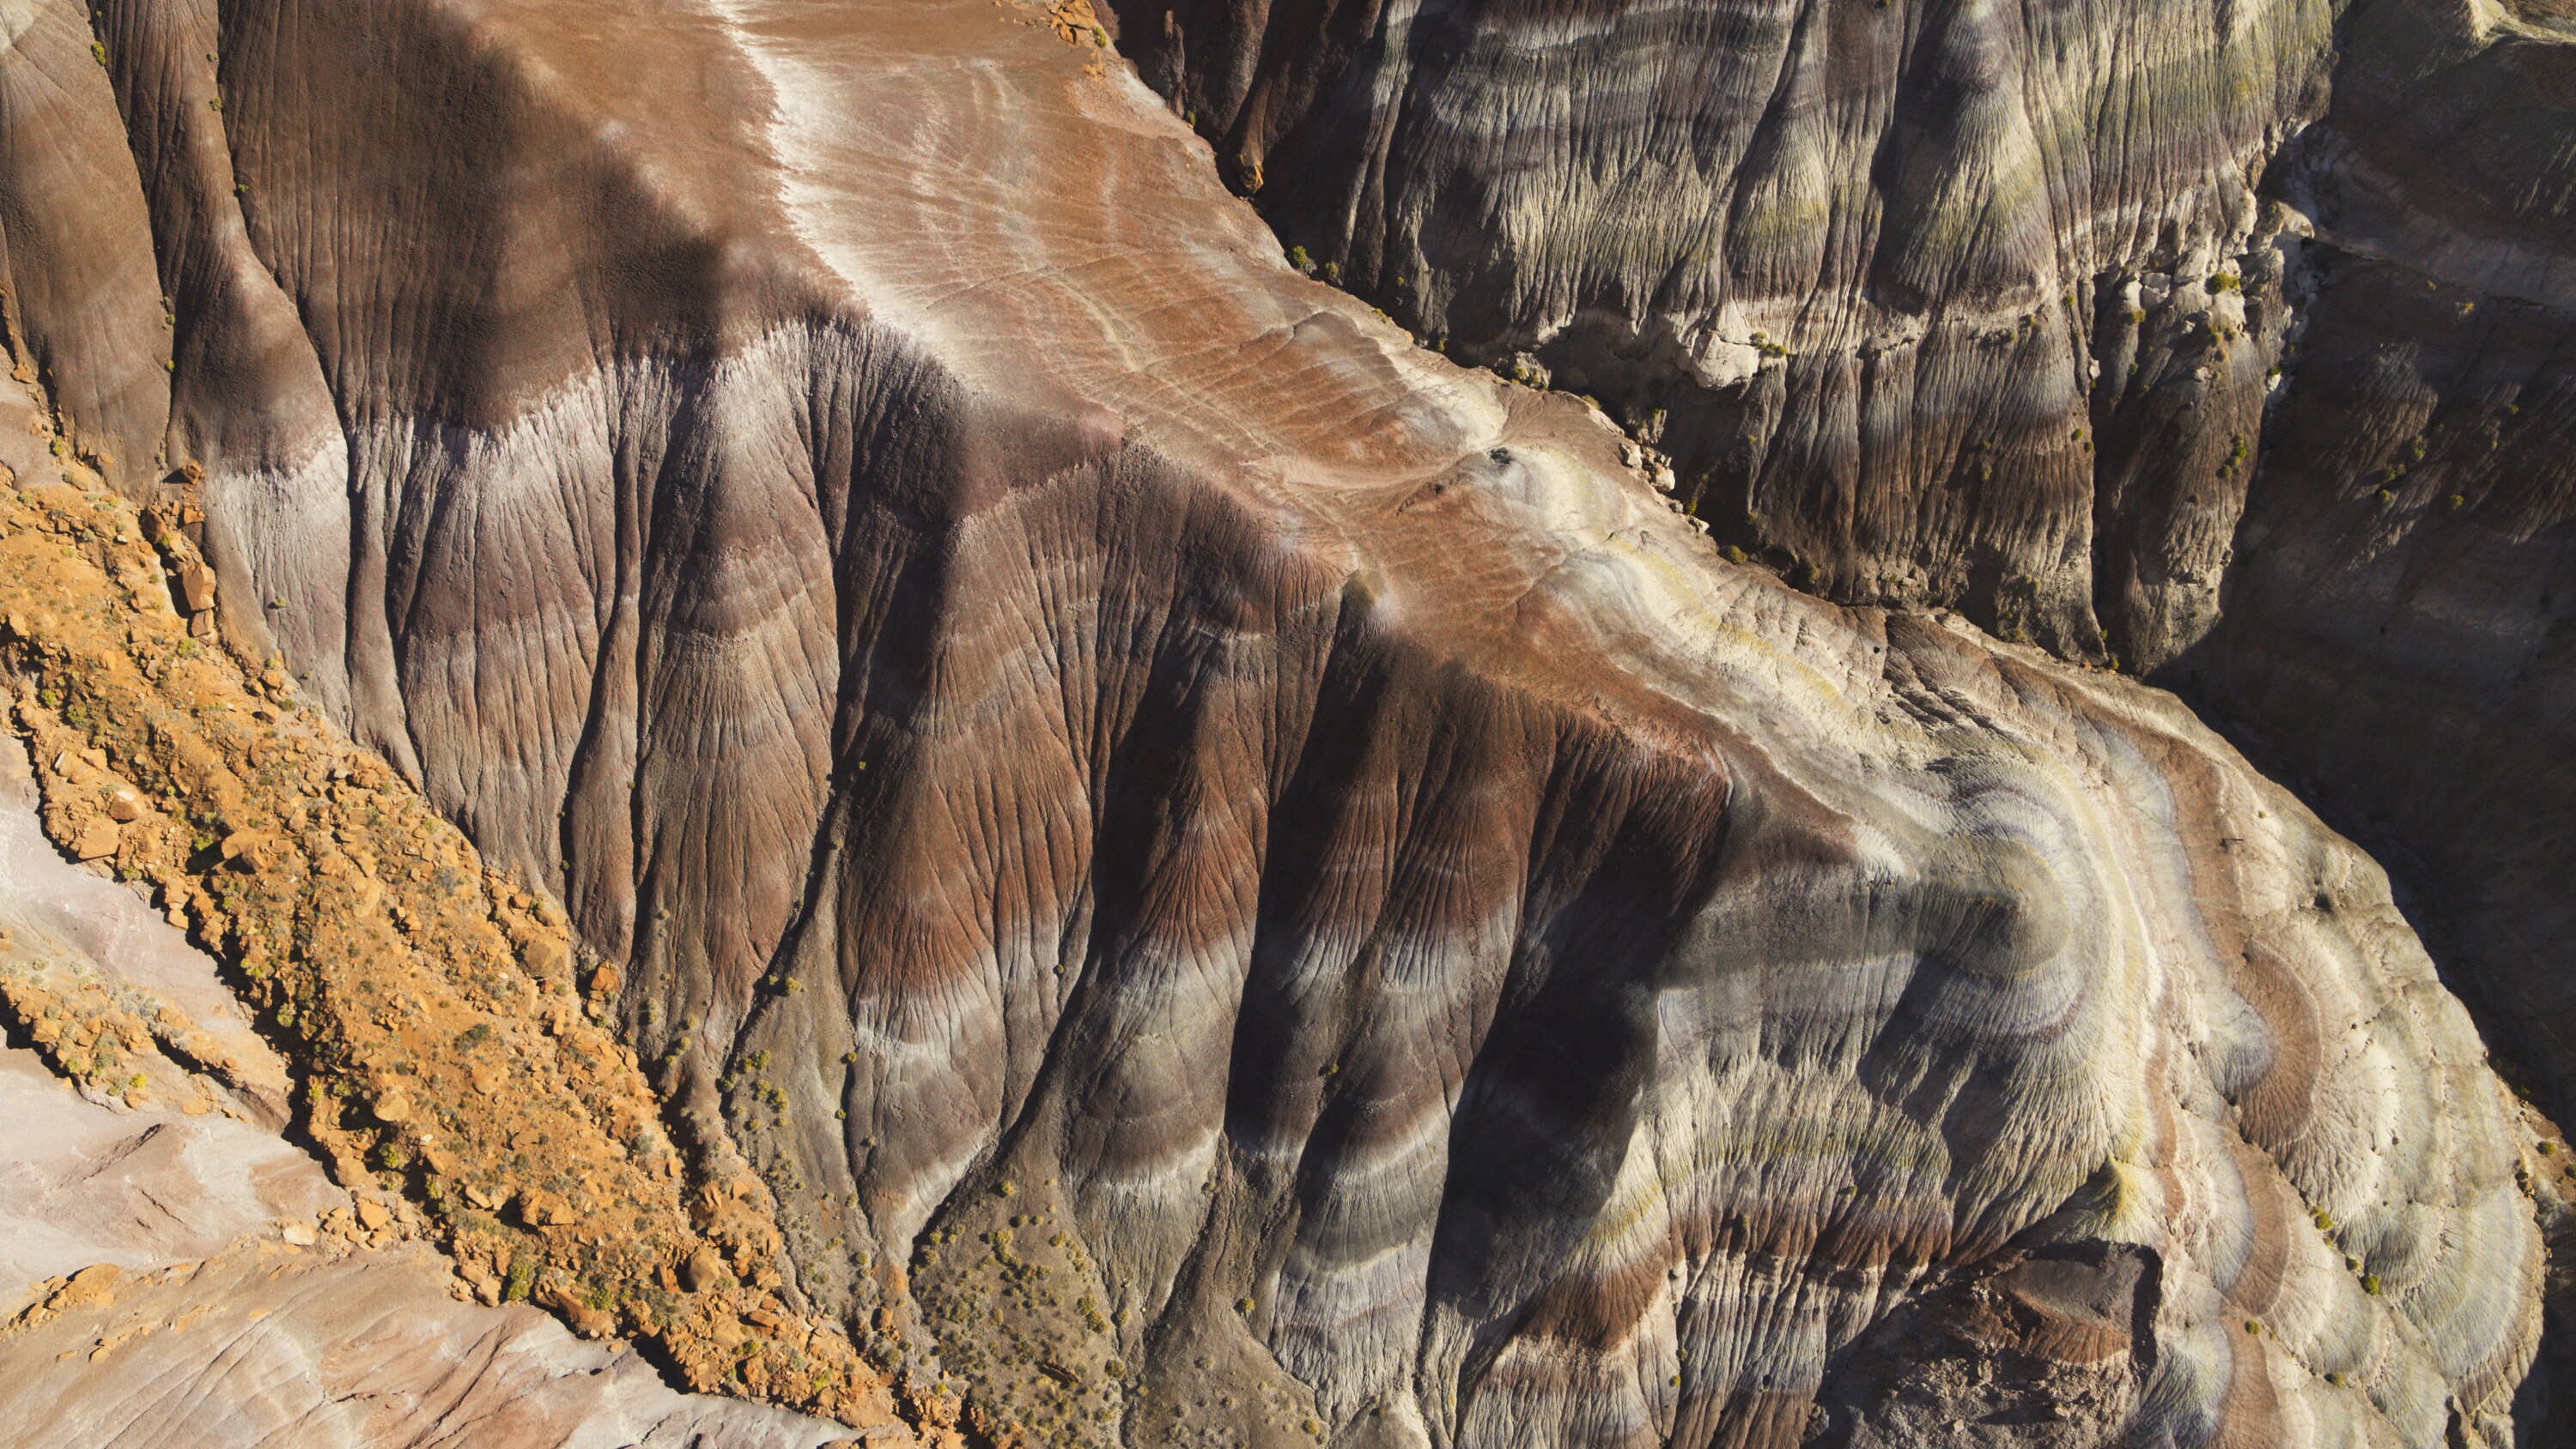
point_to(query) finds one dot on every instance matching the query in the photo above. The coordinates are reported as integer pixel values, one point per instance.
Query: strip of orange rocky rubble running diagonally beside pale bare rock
(450, 1036)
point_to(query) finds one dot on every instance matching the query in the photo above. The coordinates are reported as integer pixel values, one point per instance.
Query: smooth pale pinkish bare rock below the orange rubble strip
(200, 1280)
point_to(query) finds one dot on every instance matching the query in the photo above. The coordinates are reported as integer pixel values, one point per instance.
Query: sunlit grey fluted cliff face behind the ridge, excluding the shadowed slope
(1964, 305)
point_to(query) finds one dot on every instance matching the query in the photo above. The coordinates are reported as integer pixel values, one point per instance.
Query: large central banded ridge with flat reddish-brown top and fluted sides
(1233, 874)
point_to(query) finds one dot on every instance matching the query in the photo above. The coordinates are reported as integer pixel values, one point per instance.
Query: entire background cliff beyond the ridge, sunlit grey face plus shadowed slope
(2222, 341)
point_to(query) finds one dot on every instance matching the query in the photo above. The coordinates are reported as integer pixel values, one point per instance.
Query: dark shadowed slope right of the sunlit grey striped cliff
(2400, 616)
